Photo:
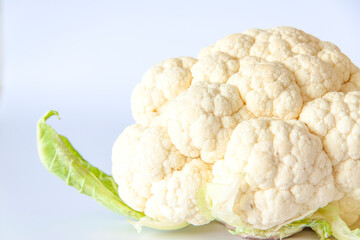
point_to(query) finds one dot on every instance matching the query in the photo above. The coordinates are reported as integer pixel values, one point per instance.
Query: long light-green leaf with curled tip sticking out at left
(60, 158)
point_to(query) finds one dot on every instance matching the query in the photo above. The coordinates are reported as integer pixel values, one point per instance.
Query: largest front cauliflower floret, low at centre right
(283, 168)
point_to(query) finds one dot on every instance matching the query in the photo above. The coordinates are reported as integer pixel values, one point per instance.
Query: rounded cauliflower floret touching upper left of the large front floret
(201, 120)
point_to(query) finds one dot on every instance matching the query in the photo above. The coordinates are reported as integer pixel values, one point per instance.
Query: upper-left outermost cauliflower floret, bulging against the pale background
(160, 83)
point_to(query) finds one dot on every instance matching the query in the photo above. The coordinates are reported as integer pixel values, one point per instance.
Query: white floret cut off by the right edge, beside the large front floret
(336, 118)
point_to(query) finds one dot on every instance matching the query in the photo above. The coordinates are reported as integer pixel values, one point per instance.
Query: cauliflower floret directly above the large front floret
(267, 88)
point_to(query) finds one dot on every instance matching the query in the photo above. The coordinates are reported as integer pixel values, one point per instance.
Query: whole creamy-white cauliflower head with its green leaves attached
(261, 132)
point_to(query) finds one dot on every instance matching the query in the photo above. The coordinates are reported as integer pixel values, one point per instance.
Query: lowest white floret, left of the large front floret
(174, 198)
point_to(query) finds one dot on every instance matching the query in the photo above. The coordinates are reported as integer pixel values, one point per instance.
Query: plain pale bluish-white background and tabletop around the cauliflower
(83, 58)
